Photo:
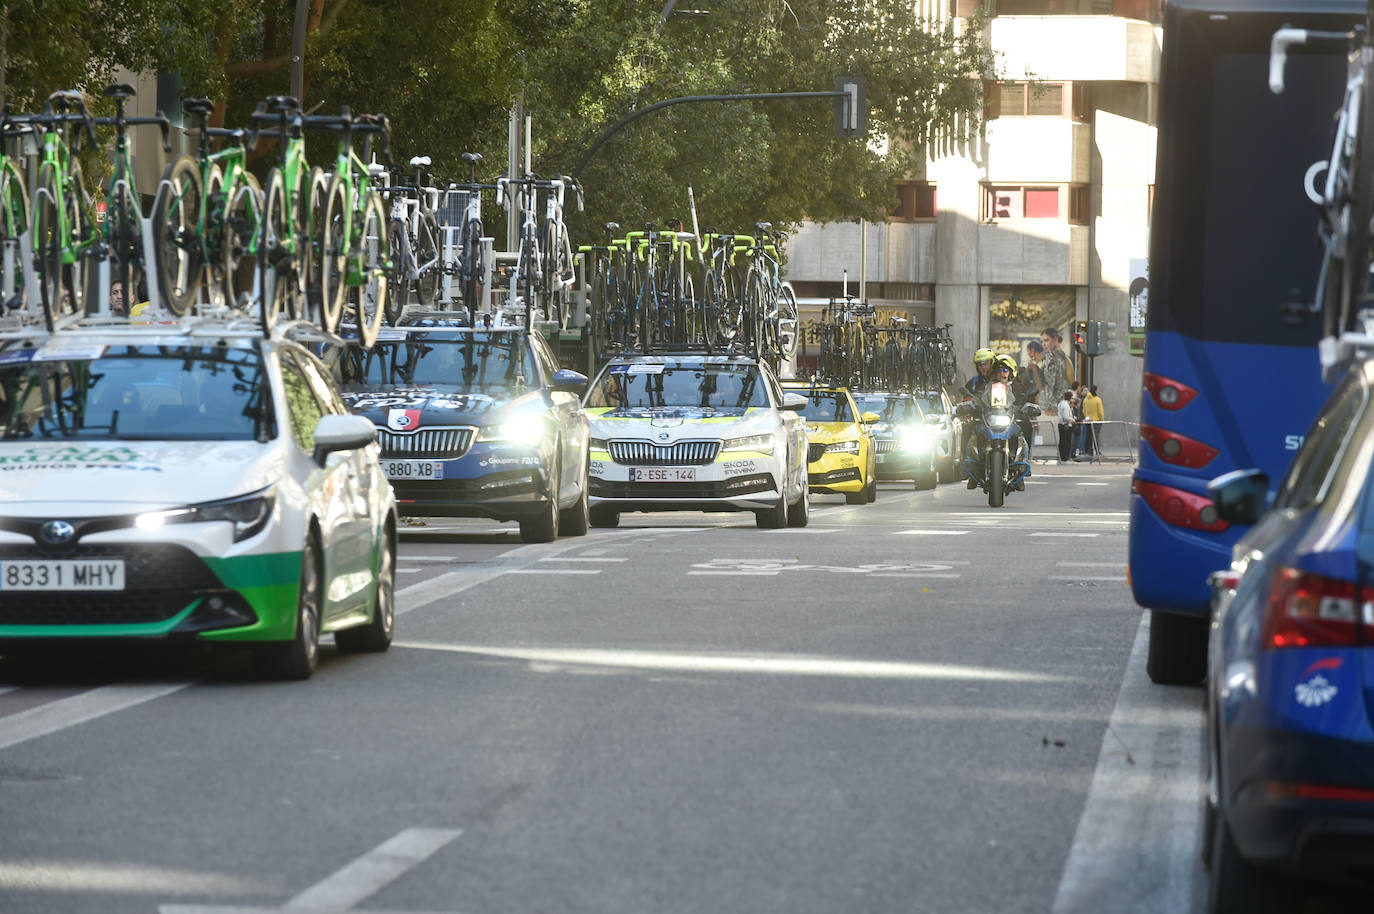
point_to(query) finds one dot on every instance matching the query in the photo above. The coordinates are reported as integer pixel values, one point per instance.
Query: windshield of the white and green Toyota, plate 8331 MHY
(166, 394)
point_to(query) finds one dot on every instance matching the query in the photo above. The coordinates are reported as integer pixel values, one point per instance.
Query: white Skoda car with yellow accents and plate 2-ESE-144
(696, 434)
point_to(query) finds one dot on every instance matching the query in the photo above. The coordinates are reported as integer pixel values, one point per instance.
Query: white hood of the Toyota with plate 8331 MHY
(97, 476)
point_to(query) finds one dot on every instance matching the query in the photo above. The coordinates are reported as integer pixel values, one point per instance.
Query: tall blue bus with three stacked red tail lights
(1232, 375)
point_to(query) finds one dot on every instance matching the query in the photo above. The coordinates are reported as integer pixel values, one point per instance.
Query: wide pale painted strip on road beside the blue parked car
(1136, 850)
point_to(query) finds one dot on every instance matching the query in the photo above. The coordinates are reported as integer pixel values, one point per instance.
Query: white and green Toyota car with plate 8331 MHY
(161, 483)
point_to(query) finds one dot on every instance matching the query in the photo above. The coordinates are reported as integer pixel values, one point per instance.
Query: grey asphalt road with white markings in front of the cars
(919, 706)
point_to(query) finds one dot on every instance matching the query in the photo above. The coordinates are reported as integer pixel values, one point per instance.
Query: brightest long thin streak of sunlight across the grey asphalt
(773, 665)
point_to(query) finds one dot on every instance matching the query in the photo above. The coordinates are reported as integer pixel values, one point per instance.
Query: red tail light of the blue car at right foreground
(1310, 611)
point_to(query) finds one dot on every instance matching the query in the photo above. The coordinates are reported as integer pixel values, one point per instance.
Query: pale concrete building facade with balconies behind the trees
(1045, 221)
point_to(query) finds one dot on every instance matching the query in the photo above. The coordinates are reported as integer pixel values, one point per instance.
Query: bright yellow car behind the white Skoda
(842, 457)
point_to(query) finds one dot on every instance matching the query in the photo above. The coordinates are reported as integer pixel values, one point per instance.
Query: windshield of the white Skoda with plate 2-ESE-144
(708, 387)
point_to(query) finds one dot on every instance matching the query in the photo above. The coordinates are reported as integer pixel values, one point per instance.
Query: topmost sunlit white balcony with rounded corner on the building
(1067, 47)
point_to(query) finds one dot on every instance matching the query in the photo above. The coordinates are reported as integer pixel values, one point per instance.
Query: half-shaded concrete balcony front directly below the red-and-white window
(1034, 252)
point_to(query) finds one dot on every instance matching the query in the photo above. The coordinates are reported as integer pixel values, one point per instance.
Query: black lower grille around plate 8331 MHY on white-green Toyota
(159, 583)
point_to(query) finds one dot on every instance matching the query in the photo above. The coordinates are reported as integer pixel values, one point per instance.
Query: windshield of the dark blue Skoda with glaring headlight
(473, 362)
